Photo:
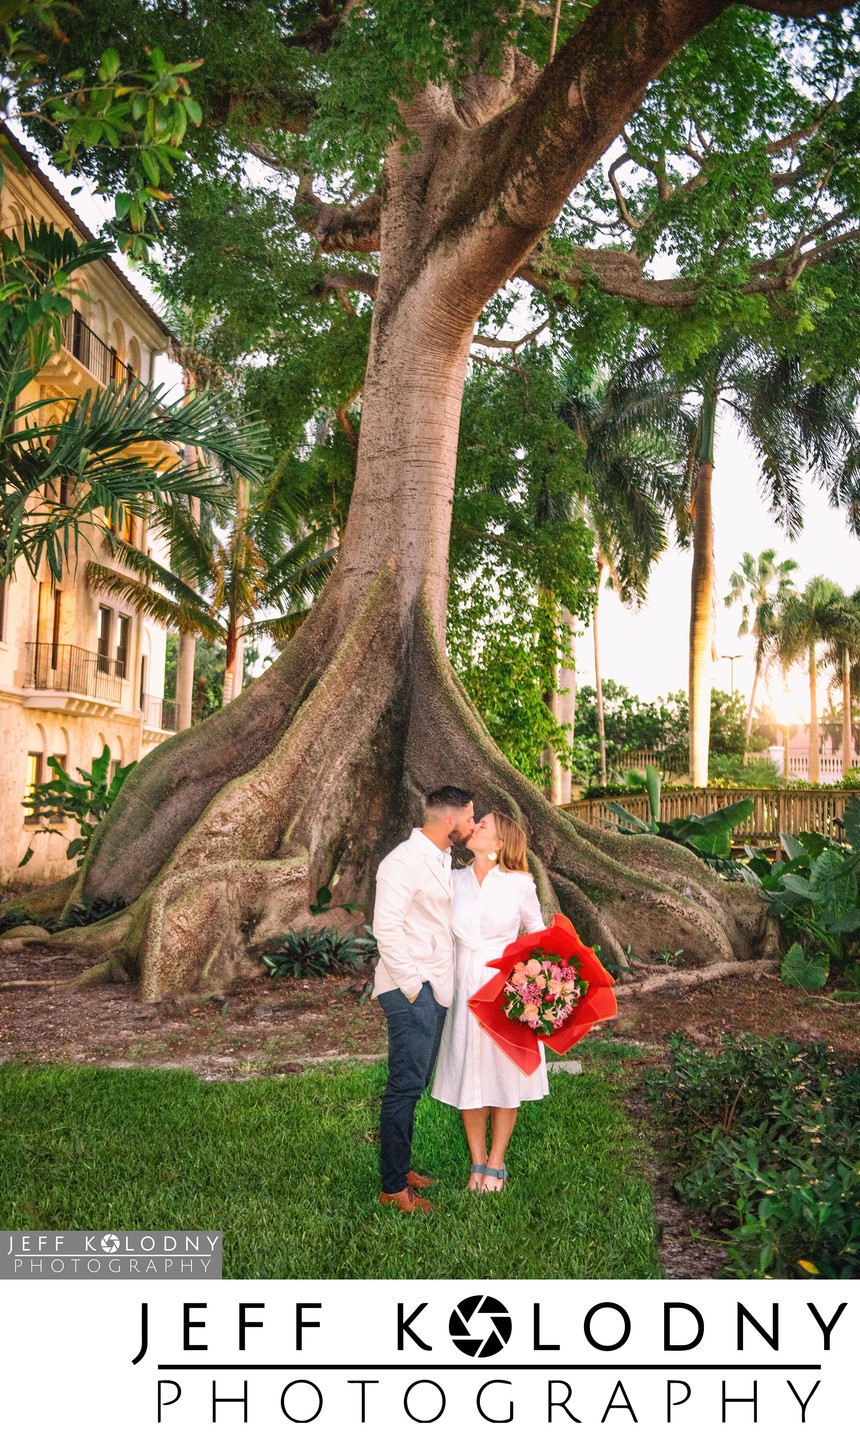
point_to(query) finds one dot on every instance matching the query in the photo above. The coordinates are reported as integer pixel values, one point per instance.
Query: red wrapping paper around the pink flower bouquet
(520, 1043)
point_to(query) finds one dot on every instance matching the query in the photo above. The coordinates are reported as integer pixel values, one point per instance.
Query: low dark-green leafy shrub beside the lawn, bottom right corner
(763, 1139)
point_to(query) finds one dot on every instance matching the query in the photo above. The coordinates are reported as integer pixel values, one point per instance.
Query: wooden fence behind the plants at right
(773, 813)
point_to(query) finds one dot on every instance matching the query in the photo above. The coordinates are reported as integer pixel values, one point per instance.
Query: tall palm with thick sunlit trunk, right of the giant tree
(790, 424)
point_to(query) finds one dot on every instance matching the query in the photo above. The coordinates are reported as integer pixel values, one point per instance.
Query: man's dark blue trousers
(414, 1034)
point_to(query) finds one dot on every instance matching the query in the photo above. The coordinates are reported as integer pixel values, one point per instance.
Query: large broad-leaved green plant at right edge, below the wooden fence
(813, 892)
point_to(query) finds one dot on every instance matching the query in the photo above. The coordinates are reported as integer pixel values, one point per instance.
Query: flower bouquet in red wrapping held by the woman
(548, 988)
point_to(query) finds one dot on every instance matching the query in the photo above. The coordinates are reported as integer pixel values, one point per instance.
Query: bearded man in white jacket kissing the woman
(416, 978)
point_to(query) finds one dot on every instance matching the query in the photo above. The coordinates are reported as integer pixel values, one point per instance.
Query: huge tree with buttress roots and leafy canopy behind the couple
(449, 146)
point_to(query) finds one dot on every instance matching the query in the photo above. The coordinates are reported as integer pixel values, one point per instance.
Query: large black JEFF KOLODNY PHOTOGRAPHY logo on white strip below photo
(576, 1358)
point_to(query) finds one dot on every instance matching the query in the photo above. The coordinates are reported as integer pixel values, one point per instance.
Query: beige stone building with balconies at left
(78, 671)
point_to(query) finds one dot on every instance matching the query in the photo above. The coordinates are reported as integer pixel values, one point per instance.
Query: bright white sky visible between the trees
(647, 648)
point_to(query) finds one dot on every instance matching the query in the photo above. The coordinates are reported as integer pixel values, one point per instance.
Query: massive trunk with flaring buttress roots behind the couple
(223, 834)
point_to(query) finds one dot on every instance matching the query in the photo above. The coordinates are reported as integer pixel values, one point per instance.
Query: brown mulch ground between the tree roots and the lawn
(266, 1028)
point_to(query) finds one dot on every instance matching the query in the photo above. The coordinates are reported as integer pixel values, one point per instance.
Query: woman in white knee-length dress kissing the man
(495, 900)
